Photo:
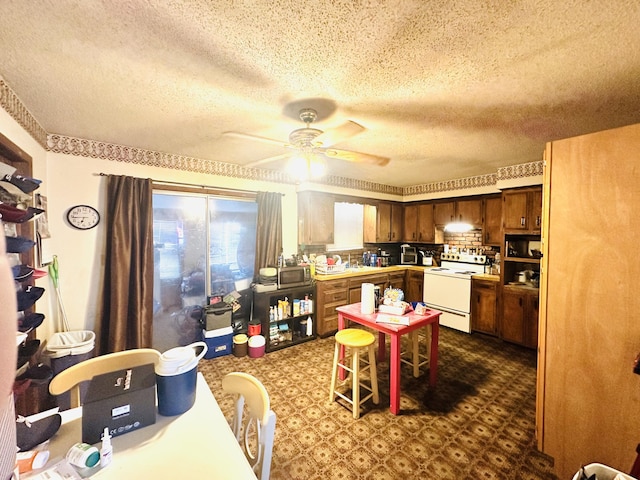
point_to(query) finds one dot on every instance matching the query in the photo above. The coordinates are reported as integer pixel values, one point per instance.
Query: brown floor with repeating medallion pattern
(477, 424)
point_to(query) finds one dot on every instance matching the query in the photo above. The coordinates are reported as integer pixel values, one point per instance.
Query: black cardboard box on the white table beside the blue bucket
(123, 400)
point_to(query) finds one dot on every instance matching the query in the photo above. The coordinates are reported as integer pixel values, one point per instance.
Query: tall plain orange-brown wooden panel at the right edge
(588, 399)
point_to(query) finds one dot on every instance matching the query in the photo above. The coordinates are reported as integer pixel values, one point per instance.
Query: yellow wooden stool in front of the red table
(355, 340)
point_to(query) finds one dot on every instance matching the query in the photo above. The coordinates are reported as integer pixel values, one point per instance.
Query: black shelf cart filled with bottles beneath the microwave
(287, 316)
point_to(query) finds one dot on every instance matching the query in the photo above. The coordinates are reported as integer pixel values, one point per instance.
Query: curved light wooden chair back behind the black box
(71, 378)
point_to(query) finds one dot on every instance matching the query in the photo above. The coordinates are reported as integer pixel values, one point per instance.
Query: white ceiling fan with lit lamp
(307, 142)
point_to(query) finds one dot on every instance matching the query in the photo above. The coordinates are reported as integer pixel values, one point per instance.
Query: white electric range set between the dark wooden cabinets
(448, 288)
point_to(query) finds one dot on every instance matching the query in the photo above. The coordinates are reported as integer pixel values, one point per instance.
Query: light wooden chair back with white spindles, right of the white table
(258, 428)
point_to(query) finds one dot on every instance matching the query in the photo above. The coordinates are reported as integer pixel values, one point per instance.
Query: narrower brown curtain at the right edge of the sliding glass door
(269, 231)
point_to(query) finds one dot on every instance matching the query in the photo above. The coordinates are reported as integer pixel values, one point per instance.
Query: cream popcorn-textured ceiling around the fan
(445, 89)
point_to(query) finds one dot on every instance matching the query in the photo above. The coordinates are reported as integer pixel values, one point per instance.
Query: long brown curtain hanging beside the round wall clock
(127, 311)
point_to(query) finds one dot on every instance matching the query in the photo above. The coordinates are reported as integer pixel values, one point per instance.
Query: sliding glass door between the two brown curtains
(204, 246)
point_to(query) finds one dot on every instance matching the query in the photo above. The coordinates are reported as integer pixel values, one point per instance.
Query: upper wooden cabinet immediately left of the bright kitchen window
(315, 218)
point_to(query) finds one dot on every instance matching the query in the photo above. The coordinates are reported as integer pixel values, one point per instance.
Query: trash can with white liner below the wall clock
(65, 349)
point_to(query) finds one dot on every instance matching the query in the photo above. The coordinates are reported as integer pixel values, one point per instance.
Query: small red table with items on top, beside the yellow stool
(431, 317)
